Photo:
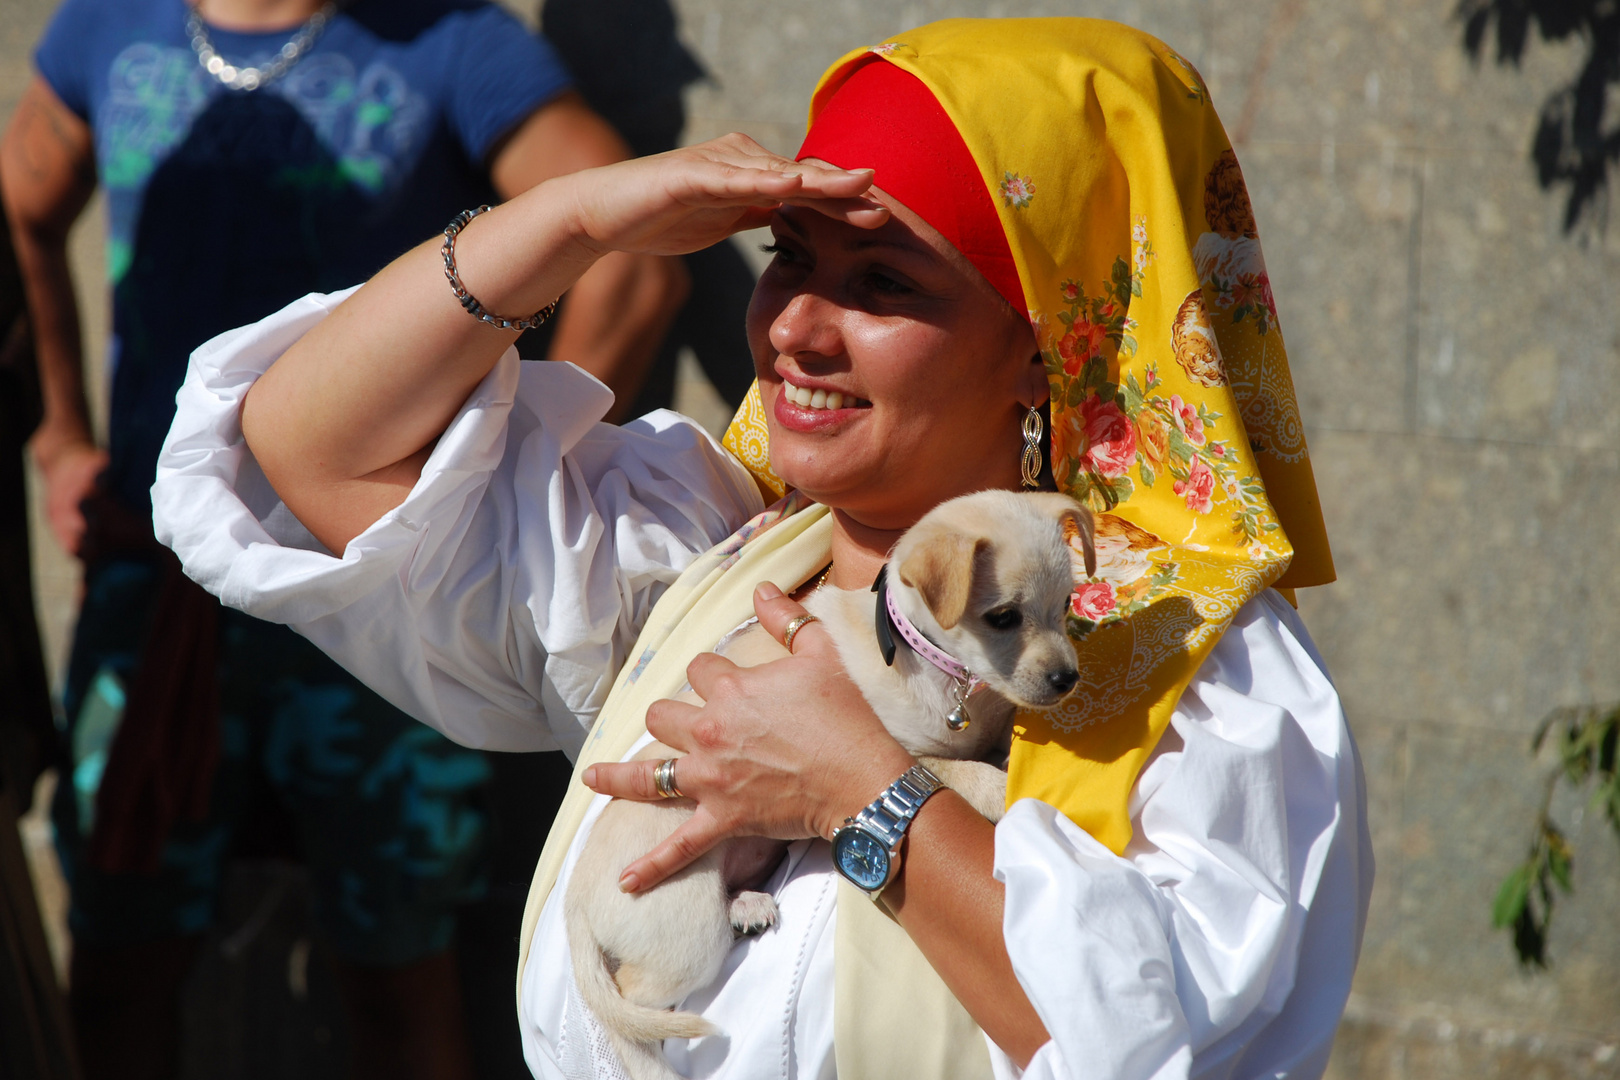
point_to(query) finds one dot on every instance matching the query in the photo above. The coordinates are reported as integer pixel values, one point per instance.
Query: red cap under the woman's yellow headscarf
(885, 119)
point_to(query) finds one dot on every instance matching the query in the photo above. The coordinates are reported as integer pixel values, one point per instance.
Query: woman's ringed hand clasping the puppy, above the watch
(785, 750)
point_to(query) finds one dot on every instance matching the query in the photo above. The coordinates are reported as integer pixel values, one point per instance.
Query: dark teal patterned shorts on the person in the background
(388, 815)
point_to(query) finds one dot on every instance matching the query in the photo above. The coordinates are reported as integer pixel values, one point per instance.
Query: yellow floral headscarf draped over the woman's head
(1174, 412)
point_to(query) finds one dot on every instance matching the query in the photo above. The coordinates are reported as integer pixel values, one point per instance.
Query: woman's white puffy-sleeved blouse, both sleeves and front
(500, 600)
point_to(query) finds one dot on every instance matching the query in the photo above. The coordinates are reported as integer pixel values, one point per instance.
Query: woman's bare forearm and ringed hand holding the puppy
(756, 768)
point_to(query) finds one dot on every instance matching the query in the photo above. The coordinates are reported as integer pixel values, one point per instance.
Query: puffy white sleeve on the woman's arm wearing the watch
(1224, 942)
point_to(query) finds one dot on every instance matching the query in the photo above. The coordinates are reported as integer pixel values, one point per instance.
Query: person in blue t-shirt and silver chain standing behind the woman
(252, 151)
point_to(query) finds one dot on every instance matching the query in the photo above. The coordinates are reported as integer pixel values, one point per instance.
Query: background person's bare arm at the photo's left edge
(48, 172)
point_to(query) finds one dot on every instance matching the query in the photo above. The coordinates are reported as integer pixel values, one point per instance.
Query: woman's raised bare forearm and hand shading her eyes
(346, 419)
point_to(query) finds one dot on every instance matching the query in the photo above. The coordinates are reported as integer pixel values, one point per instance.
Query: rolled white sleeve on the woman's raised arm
(500, 600)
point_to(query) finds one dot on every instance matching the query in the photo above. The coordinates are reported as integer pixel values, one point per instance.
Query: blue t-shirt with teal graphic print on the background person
(223, 206)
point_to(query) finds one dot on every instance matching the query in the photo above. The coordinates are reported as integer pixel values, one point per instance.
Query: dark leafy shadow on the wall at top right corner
(1574, 145)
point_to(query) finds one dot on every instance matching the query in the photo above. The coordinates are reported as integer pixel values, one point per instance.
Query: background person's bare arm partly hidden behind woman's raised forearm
(621, 308)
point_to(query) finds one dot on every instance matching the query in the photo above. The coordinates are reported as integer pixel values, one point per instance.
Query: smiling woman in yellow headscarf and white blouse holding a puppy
(1055, 231)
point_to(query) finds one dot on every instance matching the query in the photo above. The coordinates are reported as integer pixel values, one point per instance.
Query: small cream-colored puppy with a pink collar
(986, 579)
